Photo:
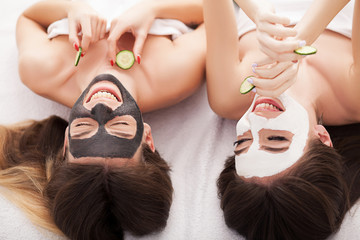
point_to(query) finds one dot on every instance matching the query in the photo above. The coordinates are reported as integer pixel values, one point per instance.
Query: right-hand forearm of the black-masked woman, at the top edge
(187, 11)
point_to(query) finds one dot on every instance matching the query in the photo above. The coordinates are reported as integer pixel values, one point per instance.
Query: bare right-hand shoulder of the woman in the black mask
(173, 70)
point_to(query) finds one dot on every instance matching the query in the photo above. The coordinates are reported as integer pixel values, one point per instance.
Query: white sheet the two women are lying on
(189, 136)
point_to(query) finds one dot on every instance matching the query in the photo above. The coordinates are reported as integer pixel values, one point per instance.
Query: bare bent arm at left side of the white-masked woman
(223, 72)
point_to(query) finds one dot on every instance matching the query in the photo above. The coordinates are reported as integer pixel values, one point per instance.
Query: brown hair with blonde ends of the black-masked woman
(85, 201)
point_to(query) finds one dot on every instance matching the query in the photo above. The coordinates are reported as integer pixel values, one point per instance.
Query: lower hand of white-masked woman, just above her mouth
(273, 78)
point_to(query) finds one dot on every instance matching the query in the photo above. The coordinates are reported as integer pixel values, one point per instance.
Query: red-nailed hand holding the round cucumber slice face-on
(138, 21)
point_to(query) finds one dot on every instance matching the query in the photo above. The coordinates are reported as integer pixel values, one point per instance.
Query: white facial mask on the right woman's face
(259, 163)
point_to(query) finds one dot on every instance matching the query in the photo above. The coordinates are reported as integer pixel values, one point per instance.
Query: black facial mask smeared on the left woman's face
(103, 144)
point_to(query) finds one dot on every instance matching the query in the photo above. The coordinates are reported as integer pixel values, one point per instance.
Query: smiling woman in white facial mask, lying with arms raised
(288, 179)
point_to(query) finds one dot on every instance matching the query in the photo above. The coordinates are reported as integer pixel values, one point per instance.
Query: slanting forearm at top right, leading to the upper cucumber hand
(317, 17)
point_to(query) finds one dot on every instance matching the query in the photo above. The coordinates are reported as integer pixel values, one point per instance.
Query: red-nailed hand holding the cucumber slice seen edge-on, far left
(86, 26)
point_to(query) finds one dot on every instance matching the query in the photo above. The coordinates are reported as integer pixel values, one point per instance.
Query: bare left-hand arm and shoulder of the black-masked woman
(39, 59)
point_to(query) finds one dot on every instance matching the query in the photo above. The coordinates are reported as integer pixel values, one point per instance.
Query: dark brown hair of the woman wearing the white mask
(308, 203)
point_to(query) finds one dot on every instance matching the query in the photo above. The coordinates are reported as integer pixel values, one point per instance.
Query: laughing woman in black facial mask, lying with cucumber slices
(99, 176)
